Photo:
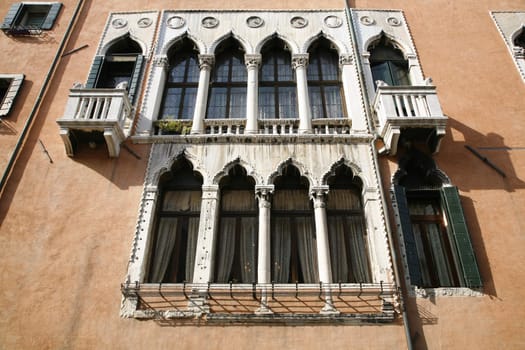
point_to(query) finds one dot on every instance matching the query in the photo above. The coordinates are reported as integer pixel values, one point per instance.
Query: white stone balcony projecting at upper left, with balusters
(101, 112)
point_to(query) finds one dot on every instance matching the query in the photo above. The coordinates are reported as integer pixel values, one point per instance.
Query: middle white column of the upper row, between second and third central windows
(252, 99)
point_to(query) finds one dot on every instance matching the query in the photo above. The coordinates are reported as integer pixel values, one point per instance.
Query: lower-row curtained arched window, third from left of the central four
(293, 245)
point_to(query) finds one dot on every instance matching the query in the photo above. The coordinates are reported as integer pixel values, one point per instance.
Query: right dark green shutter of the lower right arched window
(459, 230)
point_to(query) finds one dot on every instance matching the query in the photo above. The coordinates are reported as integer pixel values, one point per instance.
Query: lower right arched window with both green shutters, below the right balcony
(438, 248)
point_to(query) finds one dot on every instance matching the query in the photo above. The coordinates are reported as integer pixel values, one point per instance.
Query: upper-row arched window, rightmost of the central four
(324, 81)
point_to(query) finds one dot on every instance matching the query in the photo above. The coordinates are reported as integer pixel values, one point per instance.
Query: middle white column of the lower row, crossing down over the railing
(264, 194)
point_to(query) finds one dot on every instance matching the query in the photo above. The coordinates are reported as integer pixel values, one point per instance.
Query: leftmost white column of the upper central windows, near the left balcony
(156, 92)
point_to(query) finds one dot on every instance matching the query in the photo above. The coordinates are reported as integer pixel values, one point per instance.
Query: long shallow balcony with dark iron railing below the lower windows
(264, 303)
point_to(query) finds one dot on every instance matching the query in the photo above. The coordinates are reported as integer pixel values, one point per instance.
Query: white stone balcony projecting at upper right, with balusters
(410, 111)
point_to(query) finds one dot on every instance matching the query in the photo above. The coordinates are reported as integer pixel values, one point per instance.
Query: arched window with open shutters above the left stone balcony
(122, 63)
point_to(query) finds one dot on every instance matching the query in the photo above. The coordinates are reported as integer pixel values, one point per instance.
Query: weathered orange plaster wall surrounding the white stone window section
(67, 226)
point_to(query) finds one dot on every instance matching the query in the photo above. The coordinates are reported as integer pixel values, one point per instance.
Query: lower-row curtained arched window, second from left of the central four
(236, 244)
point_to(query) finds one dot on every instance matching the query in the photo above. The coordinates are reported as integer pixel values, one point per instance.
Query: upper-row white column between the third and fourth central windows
(299, 64)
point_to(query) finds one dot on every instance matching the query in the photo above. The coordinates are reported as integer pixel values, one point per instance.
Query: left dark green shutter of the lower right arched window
(408, 235)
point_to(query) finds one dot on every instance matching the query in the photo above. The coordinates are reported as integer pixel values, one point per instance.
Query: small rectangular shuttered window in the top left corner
(23, 17)
